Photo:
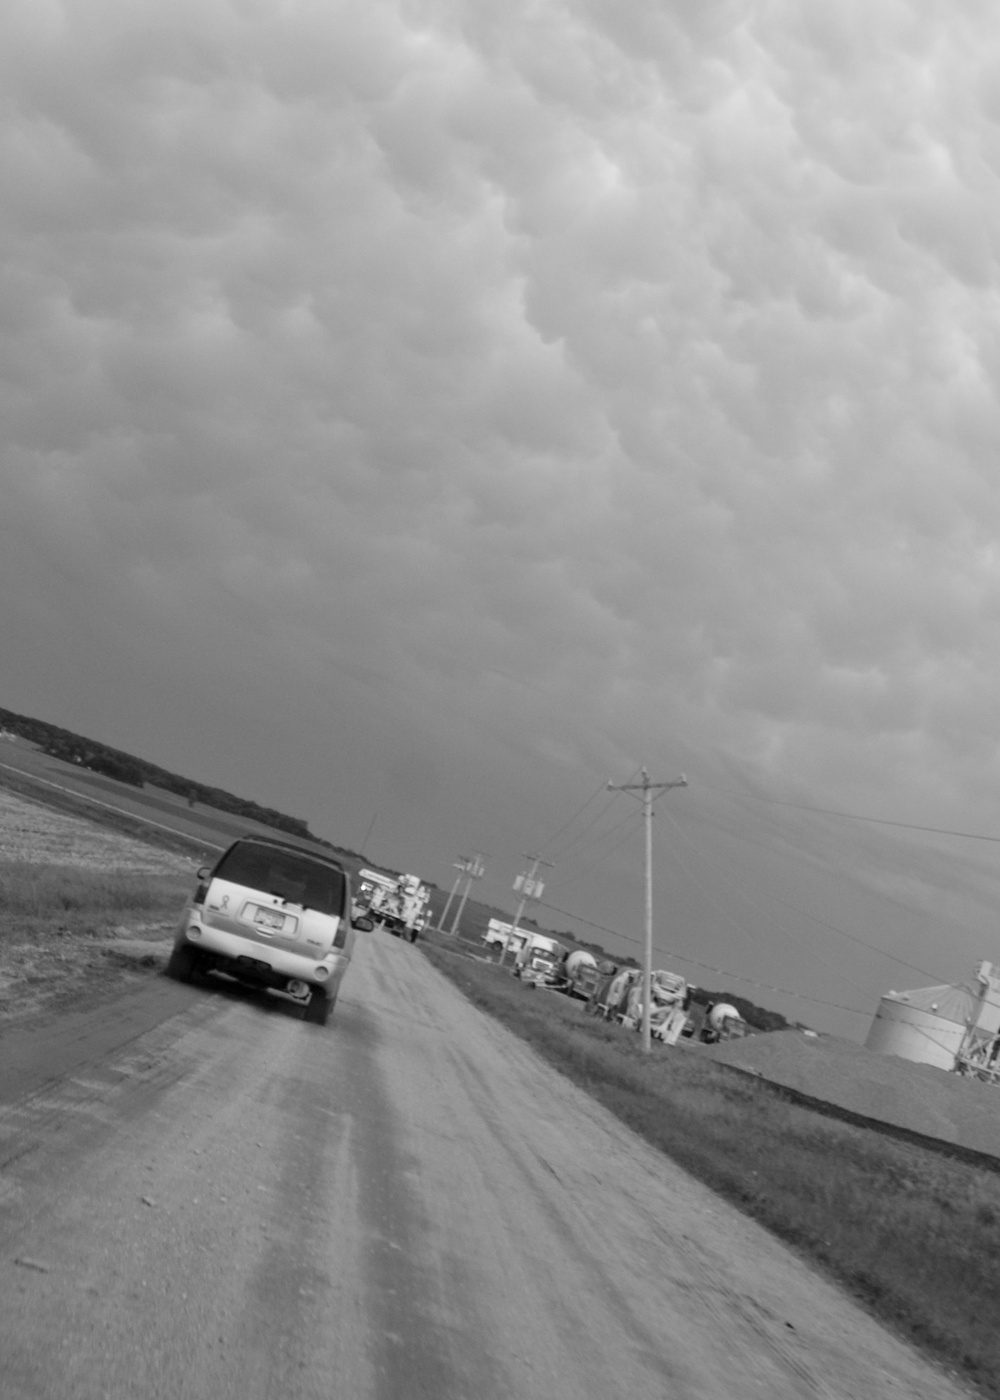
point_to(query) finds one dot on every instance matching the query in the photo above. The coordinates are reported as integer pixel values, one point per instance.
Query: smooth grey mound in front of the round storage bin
(915, 1097)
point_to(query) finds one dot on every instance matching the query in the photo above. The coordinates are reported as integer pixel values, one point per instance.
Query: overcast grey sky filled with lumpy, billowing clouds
(429, 412)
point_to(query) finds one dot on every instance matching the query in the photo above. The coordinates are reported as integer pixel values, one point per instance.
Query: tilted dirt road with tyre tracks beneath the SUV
(218, 1200)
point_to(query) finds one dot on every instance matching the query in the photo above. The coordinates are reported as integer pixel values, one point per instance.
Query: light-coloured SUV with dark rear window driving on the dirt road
(271, 915)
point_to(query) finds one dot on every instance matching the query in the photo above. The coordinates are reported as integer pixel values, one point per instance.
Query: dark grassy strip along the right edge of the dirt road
(911, 1233)
